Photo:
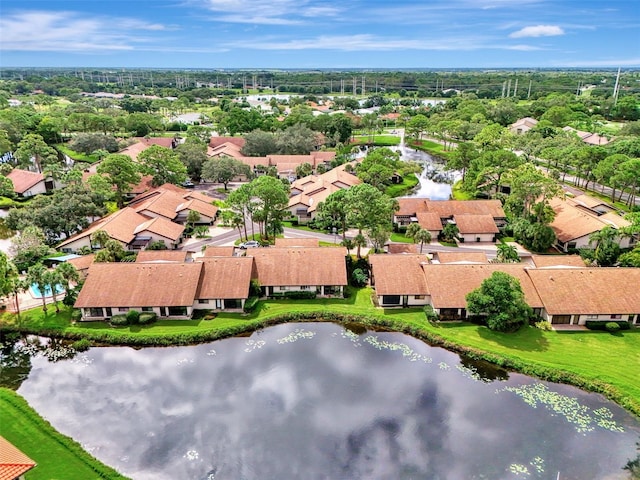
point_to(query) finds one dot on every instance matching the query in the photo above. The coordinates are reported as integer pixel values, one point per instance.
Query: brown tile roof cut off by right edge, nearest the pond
(583, 291)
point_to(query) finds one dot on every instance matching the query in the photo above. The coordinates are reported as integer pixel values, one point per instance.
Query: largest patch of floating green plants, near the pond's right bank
(582, 417)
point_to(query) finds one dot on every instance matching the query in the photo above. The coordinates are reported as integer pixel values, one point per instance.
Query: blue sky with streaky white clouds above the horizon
(320, 34)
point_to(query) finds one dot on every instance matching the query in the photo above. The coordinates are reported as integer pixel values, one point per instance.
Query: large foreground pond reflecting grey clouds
(319, 401)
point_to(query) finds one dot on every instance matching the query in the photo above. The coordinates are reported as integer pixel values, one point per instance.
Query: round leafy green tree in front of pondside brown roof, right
(500, 298)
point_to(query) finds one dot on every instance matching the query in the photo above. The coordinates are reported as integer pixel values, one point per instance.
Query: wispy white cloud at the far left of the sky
(71, 32)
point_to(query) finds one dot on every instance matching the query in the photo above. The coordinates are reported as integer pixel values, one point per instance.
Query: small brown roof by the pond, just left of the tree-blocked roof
(399, 274)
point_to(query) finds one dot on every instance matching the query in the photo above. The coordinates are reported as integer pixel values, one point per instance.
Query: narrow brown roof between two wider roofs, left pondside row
(225, 277)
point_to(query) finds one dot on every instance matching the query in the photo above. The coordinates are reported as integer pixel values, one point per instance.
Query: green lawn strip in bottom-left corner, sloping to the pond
(57, 456)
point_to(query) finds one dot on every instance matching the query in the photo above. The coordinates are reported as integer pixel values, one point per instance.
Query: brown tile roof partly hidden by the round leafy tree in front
(449, 284)
